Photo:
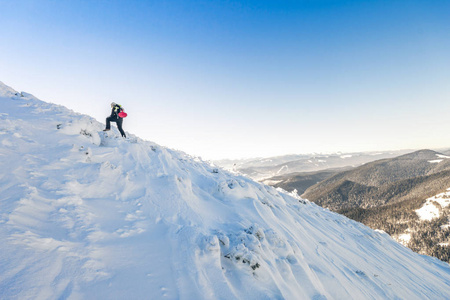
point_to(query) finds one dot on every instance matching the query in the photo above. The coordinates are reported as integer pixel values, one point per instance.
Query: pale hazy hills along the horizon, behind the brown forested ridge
(264, 168)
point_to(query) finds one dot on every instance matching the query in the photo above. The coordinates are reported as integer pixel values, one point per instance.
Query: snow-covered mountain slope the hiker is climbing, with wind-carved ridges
(84, 215)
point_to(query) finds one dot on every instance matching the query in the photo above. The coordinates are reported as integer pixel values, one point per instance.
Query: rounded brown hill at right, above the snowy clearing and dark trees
(413, 176)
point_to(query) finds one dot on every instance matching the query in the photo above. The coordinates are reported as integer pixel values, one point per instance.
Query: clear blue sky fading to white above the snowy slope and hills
(235, 79)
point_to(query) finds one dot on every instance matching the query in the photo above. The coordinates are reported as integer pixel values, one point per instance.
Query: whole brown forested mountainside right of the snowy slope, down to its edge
(386, 194)
